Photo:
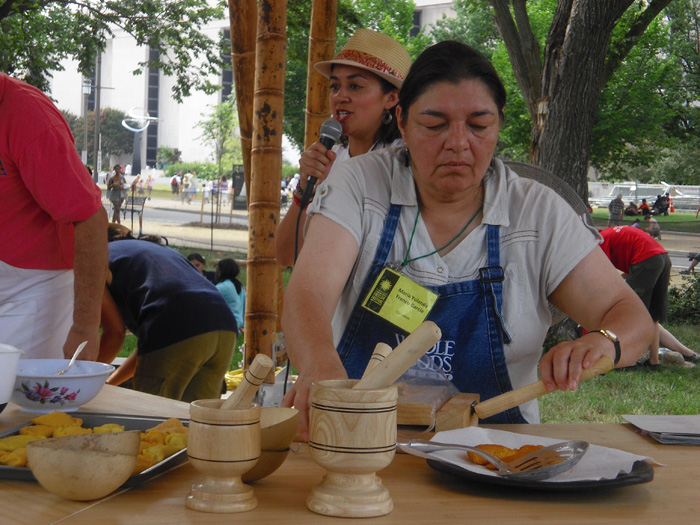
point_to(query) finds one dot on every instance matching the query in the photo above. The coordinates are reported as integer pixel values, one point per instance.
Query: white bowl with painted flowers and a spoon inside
(39, 389)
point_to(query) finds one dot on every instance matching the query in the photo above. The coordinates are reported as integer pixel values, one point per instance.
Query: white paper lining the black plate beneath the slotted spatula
(598, 463)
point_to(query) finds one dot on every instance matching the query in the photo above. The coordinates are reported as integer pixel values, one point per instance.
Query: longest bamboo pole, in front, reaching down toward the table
(266, 171)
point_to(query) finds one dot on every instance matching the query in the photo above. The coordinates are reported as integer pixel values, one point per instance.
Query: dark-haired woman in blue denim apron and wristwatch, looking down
(452, 192)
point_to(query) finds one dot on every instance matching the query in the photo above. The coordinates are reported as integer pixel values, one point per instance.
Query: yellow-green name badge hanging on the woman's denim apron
(399, 300)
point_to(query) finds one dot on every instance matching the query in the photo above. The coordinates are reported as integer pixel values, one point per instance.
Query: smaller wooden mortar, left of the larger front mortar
(223, 445)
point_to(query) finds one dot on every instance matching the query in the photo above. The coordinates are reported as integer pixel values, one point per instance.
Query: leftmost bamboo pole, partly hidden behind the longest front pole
(242, 16)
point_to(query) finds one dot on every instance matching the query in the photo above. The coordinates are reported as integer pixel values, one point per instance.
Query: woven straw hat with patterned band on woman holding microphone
(375, 52)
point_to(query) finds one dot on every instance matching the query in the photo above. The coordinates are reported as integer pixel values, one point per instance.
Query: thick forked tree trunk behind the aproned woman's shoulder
(564, 102)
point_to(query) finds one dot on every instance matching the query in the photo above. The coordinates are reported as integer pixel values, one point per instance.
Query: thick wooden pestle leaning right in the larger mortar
(401, 358)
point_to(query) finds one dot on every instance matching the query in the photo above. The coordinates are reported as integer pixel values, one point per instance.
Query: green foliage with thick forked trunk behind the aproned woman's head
(598, 81)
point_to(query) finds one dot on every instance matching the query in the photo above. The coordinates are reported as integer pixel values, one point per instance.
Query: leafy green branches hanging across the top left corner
(36, 35)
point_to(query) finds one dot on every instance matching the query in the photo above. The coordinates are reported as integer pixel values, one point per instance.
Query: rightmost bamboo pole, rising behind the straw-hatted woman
(321, 47)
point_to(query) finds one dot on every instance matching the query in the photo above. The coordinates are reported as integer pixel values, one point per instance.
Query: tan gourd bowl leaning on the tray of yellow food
(84, 467)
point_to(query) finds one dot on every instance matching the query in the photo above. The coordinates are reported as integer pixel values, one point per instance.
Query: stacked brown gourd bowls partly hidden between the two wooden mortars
(278, 426)
